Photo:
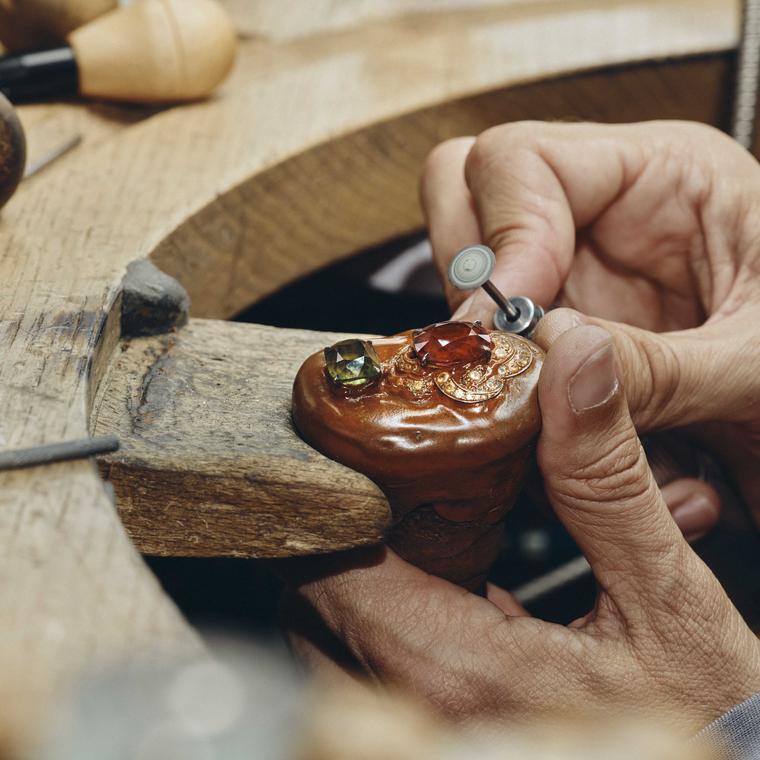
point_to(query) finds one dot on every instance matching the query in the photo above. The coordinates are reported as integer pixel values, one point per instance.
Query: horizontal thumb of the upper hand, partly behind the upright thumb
(678, 378)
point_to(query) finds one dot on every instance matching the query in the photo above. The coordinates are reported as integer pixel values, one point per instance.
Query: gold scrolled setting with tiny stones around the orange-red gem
(467, 383)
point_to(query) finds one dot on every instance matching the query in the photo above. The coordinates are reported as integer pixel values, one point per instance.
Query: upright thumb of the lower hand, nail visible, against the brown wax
(595, 472)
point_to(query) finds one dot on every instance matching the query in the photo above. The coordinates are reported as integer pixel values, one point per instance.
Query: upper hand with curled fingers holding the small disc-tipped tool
(655, 226)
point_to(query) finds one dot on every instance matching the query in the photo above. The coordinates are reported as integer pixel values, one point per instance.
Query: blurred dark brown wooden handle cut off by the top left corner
(33, 24)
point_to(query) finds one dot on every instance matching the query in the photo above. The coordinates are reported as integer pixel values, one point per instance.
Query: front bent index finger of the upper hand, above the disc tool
(533, 184)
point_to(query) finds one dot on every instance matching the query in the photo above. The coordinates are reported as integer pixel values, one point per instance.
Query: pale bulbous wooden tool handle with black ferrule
(146, 52)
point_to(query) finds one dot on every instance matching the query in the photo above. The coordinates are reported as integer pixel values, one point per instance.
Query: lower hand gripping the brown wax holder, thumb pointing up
(663, 636)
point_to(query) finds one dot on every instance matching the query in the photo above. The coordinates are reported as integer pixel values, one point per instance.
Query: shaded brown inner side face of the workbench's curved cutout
(342, 196)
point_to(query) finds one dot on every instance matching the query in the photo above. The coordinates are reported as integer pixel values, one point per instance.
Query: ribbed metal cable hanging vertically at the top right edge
(747, 76)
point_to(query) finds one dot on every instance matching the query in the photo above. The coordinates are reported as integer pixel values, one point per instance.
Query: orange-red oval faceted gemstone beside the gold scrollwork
(448, 343)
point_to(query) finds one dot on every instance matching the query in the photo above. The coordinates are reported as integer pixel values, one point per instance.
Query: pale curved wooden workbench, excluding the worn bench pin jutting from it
(310, 150)
